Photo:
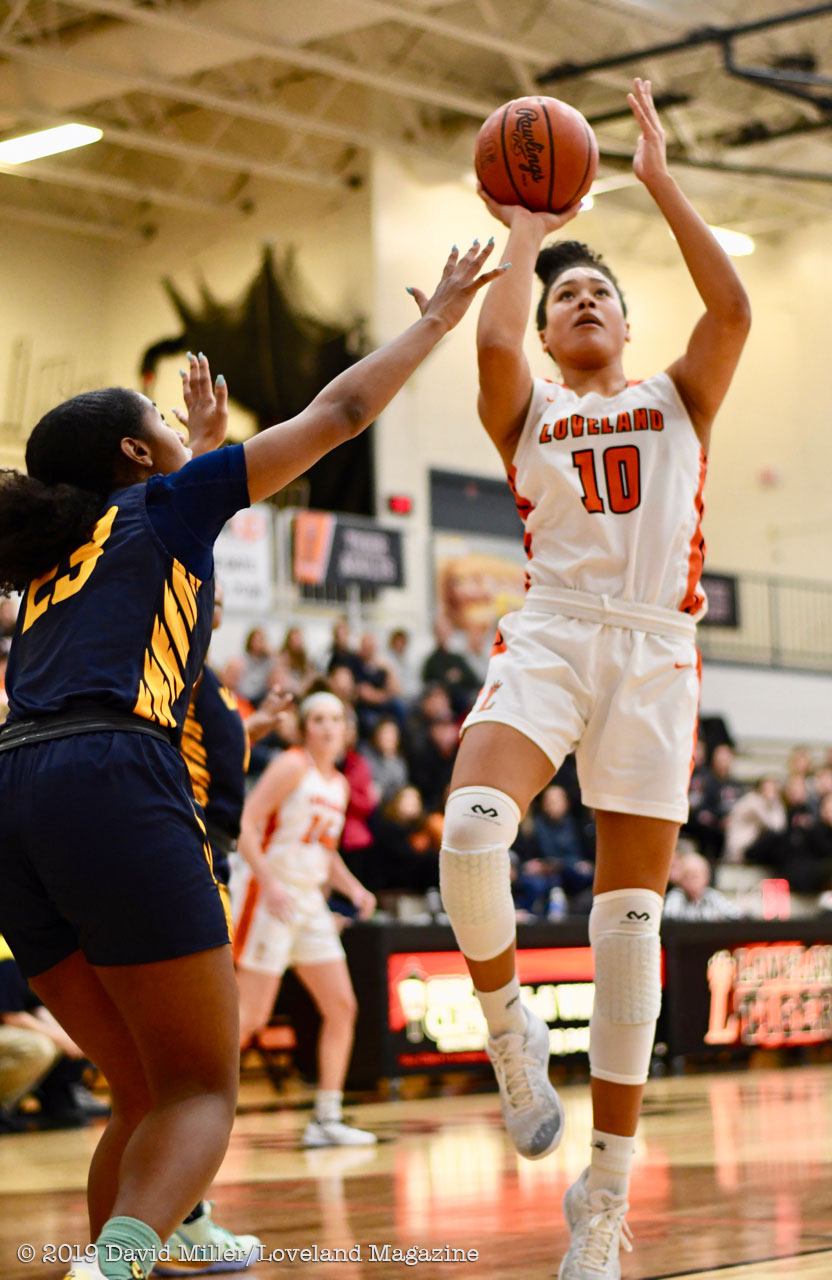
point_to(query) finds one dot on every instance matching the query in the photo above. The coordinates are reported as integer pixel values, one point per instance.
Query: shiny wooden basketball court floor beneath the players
(733, 1182)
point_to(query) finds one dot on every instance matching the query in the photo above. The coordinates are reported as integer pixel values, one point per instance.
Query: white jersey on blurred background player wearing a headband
(307, 829)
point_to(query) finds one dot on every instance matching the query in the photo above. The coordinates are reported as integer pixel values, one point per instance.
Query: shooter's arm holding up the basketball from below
(505, 374)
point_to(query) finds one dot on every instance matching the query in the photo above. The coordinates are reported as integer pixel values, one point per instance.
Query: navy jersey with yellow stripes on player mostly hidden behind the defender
(216, 749)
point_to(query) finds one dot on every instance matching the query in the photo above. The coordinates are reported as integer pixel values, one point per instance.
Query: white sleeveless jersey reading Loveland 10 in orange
(610, 491)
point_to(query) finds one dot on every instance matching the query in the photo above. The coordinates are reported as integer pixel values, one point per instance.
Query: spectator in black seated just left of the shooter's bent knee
(408, 843)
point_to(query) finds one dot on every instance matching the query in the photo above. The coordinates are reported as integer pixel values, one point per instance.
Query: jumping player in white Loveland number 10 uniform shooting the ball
(601, 660)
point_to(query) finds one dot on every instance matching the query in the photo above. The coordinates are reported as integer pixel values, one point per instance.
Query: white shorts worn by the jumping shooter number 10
(612, 682)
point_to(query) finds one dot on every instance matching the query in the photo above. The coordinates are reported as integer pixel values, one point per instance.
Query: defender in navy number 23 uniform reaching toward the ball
(109, 902)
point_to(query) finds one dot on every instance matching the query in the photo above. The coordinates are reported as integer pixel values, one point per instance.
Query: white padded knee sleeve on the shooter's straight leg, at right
(624, 931)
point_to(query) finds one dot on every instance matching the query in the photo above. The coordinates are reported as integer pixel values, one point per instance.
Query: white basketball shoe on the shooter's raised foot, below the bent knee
(532, 1109)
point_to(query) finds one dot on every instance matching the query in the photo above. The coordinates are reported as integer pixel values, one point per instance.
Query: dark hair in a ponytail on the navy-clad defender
(74, 459)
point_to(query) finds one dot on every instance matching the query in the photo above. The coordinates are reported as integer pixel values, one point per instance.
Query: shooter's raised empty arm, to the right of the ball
(705, 373)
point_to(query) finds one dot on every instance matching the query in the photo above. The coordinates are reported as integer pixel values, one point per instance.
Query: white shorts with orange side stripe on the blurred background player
(267, 945)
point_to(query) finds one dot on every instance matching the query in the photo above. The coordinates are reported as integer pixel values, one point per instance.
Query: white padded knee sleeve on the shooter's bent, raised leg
(474, 870)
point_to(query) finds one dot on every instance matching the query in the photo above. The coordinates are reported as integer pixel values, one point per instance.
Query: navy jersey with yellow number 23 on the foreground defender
(126, 620)
